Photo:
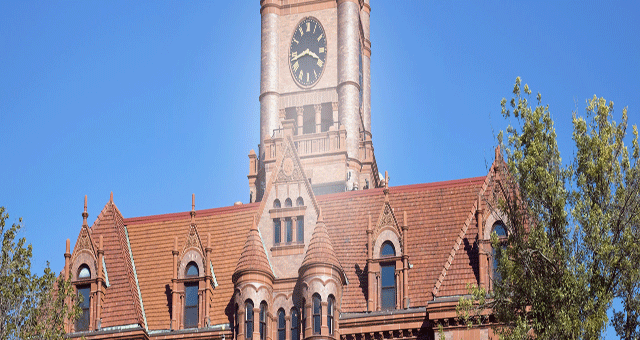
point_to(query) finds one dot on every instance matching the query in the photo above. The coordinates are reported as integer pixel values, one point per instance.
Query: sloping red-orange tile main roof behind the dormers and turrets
(436, 214)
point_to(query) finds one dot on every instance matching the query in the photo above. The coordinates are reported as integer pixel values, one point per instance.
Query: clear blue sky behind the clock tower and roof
(158, 100)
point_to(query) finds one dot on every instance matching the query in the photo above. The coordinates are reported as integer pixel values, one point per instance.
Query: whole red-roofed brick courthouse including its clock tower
(325, 248)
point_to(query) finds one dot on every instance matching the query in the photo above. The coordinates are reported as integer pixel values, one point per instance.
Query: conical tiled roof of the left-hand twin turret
(253, 257)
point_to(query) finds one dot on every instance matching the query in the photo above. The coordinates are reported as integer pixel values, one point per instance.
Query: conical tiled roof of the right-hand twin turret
(320, 251)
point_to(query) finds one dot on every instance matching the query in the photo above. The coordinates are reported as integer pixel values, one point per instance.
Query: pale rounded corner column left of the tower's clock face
(269, 95)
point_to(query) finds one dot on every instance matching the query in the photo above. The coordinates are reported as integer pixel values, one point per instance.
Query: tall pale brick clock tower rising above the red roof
(315, 89)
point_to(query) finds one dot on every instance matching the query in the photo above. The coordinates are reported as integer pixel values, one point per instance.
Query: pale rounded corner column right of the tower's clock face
(348, 72)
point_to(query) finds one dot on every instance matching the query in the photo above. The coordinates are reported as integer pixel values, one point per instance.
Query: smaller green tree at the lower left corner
(31, 306)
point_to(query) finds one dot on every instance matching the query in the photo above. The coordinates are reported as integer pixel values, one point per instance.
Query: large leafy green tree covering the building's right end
(571, 247)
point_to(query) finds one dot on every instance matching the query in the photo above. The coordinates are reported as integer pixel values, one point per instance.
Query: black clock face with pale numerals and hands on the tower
(308, 52)
